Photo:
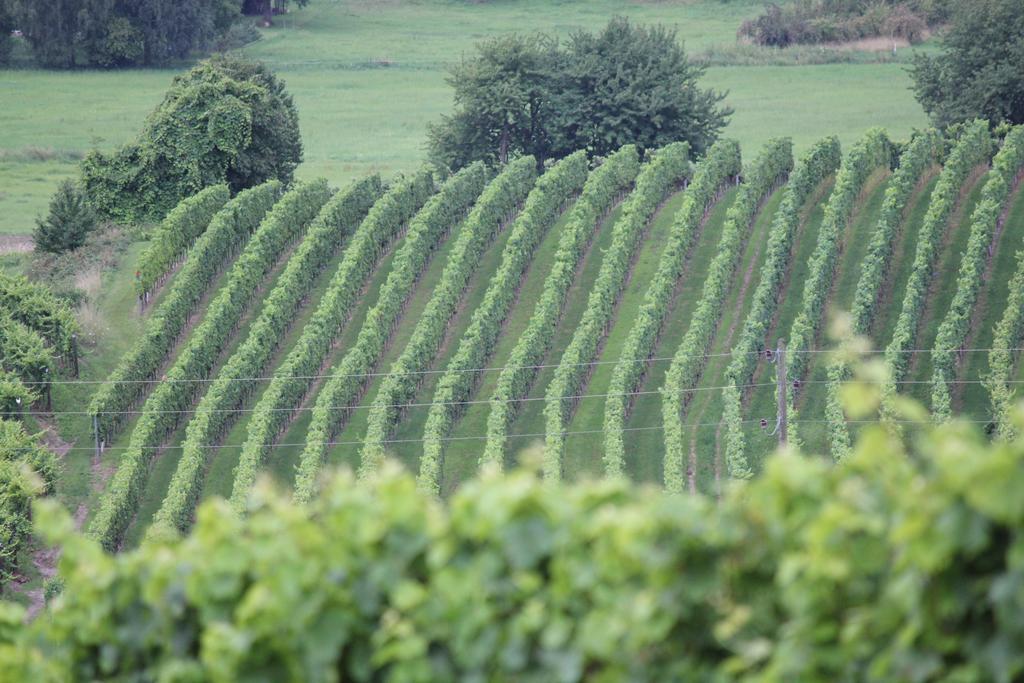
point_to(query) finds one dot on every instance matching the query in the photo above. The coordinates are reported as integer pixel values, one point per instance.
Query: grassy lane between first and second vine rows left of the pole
(705, 406)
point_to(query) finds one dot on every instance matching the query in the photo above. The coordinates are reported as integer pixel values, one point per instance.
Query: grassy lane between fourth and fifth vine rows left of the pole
(531, 417)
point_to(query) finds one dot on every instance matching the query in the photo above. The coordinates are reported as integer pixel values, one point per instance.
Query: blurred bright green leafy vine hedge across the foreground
(897, 567)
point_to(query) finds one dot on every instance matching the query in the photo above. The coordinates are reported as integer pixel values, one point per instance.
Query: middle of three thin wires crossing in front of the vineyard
(482, 402)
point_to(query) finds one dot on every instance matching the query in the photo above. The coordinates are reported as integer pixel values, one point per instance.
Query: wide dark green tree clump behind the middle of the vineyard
(530, 96)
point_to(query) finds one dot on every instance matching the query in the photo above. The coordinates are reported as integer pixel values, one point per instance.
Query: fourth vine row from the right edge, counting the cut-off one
(921, 154)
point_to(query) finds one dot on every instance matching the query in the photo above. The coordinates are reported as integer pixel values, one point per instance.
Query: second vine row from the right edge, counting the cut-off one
(1007, 166)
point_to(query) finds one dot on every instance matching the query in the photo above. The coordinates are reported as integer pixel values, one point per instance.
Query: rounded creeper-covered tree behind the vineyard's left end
(227, 120)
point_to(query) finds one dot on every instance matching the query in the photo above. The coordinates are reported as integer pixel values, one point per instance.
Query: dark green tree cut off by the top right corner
(980, 74)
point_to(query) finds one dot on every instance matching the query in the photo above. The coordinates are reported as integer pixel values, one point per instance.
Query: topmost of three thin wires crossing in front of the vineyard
(268, 378)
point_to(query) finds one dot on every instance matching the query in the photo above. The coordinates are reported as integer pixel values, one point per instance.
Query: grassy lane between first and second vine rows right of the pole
(810, 398)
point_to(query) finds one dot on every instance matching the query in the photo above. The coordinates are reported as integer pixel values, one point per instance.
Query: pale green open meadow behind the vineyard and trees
(368, 77)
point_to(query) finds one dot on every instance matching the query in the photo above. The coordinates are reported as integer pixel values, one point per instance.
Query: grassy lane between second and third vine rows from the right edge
(942, 293)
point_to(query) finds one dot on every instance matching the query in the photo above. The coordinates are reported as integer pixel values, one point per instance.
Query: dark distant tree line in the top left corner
(64, 34)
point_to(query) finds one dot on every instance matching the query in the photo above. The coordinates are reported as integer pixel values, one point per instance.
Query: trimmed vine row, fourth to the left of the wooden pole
(669, 167)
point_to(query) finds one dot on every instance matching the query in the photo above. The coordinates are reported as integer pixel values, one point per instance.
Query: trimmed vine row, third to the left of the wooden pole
(721, 165)
